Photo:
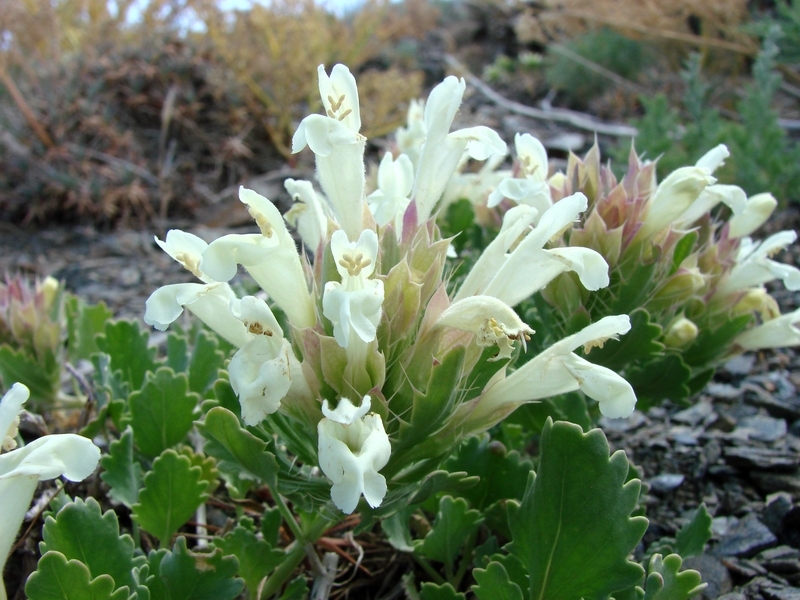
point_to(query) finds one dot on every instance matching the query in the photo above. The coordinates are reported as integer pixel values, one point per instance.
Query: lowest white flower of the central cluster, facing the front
(353, 447)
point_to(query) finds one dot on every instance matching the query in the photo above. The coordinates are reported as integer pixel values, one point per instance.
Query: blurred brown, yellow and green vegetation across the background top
(116, 121)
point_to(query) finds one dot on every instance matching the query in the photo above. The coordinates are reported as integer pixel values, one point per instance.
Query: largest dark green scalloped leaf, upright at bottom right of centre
(573, 530)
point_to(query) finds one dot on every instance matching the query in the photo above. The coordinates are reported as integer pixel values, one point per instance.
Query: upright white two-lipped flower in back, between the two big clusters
(532, 189)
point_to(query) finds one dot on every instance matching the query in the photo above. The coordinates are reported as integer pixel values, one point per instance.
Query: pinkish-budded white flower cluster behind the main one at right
(679, 254)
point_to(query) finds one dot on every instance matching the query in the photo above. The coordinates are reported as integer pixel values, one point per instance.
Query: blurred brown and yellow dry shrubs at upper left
(111, 123)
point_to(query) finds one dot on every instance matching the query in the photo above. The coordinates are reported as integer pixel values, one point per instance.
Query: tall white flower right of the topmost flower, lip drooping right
(442, 151)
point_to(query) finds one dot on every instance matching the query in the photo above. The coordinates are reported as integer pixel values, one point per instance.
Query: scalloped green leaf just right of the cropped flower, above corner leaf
(79, 531)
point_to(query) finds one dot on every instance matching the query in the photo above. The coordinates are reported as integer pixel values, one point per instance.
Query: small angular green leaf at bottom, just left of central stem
(257, 558)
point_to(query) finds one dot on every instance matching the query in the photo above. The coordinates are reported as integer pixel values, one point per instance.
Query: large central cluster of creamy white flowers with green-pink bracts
(371, 317)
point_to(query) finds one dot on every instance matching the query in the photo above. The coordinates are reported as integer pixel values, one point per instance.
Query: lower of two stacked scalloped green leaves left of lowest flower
(172, 491)
